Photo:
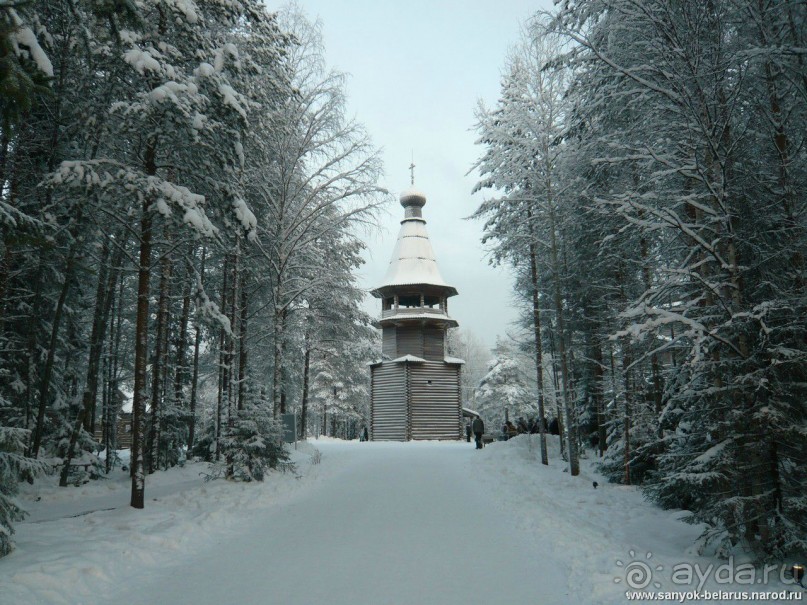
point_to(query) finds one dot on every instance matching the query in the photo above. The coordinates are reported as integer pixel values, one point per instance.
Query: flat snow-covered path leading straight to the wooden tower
(397, 524)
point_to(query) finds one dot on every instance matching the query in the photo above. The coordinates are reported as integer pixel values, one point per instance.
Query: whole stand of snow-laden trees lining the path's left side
(150, 152)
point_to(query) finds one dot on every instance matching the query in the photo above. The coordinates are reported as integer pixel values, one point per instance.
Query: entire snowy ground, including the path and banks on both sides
(380, 523)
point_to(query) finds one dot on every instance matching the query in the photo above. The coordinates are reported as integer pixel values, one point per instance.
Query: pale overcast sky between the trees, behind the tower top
(417, 69)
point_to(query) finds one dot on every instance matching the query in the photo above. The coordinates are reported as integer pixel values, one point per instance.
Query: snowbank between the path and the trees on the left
(79, 544)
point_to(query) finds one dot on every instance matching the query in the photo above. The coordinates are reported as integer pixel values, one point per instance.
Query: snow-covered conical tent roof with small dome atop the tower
(413, 260)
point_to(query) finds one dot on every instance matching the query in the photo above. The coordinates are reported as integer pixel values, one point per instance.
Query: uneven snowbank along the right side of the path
(601, 533)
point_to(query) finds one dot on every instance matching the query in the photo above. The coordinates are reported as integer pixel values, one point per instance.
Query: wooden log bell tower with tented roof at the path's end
(415, 390)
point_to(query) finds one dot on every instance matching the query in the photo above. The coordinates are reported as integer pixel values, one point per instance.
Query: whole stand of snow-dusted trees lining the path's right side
(653, 225)
